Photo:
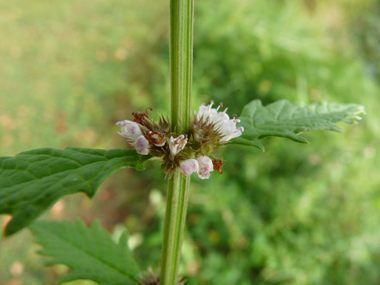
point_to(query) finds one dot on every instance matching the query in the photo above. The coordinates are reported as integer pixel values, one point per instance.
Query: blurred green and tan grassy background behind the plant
(296, 214)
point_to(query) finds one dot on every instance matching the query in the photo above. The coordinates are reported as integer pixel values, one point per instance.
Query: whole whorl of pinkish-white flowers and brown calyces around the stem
(192, 152)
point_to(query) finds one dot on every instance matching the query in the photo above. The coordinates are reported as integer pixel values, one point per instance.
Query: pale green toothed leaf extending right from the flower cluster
(288, 120)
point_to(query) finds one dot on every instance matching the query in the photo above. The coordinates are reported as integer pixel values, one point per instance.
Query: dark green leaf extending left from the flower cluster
(33, 181)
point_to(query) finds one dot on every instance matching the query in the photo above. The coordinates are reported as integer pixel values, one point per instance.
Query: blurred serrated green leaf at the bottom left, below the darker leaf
(89, 252)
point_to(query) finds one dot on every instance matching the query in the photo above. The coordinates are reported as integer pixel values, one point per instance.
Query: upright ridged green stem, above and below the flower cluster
(181, 71)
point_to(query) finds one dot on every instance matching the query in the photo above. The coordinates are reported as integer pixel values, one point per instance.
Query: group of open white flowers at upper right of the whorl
(221, 120)
